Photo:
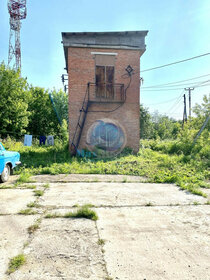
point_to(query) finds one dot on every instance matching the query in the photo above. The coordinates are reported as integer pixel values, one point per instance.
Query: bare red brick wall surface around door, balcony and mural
(81, 70)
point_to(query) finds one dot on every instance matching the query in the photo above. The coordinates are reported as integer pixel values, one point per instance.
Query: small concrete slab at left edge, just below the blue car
(14, 200)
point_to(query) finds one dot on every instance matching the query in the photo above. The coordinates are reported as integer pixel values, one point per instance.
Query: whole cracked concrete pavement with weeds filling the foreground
(144, 231)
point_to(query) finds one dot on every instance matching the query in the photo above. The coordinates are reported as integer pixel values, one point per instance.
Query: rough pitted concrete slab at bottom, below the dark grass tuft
(63, 249)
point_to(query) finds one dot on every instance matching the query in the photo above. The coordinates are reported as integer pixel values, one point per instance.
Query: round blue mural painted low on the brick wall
(105, 138)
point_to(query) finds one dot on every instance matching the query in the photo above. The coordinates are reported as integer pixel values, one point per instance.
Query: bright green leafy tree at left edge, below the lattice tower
(13, 102)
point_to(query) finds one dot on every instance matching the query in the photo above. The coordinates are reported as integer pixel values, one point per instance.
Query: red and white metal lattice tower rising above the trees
(17, 11)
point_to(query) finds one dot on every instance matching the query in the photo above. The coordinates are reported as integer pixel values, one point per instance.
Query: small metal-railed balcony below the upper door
(106, 93)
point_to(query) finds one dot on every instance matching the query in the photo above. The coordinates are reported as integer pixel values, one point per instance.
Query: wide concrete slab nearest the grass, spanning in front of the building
(116, 194)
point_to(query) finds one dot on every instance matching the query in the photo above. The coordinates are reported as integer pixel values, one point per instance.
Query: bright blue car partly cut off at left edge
(8, 161)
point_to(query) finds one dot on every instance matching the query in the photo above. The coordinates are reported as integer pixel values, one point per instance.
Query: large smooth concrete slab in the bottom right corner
(156, 242)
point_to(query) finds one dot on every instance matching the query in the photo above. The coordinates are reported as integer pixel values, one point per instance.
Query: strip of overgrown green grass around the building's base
(160, 162)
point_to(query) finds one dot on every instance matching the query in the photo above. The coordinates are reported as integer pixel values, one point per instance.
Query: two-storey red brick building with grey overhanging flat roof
(104, 89)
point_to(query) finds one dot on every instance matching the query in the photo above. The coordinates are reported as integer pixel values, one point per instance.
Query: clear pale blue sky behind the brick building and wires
(177, 30)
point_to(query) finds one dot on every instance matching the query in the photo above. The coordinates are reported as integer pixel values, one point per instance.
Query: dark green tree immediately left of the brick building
(42, 119)
